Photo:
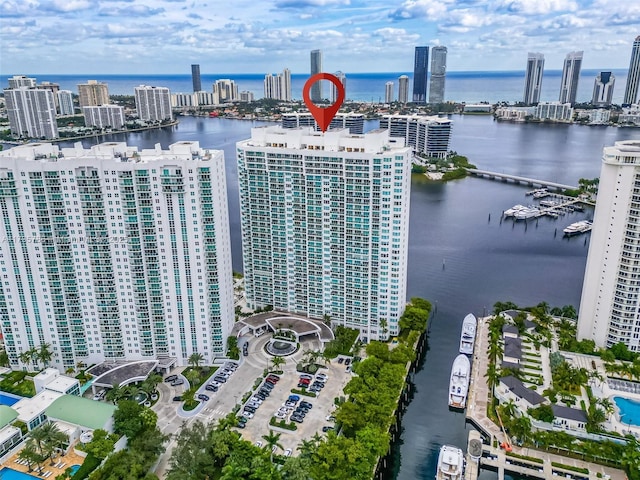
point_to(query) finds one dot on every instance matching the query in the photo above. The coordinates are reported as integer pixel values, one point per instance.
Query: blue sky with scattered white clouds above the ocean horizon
(260, 36)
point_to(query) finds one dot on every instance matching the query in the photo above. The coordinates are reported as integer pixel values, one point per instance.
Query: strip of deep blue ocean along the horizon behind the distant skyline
(461, 86)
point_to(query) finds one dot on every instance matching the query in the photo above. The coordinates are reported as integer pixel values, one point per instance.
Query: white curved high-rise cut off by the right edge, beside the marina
(610, 303)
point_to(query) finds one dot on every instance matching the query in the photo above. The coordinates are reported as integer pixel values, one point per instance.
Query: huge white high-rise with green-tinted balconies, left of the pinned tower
(112, 253)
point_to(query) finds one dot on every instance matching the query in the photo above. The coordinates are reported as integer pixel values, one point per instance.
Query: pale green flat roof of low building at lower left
(81, 411)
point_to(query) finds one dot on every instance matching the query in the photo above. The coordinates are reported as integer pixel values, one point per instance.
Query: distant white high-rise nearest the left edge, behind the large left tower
(31, 112)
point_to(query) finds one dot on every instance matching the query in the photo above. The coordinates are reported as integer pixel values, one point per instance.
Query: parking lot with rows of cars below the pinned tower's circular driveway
(315, 418)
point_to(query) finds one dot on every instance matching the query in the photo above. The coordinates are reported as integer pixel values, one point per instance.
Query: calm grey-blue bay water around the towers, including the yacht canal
(462, 257)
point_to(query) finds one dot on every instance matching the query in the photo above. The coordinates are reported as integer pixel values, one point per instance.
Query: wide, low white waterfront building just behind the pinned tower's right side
(430, 135)
